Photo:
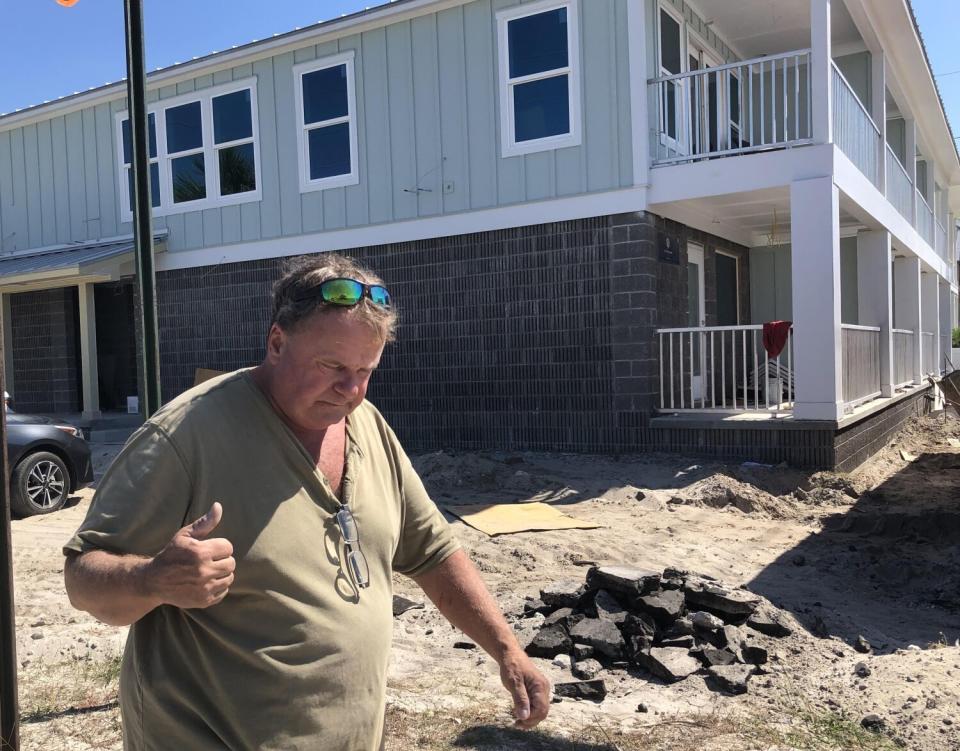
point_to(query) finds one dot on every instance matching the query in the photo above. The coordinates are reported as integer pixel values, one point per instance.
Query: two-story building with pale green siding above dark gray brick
(586, 210)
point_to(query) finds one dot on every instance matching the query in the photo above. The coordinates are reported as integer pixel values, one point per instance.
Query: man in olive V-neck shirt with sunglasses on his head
(249, 532)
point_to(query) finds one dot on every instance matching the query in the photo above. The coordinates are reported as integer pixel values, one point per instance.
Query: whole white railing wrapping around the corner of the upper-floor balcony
(766, 103)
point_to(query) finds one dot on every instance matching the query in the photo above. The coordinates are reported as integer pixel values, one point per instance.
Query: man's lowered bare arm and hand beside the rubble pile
(459, 593)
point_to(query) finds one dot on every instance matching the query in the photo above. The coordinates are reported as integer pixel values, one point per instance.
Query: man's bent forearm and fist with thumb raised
(190, 572)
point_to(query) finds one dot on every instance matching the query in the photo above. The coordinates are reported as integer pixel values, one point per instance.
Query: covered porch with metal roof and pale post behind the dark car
(69, 322)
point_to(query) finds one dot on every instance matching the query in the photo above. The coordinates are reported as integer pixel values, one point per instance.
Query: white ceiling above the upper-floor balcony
(765, 27)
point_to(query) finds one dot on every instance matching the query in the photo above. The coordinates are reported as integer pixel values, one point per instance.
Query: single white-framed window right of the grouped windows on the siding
(327, 130)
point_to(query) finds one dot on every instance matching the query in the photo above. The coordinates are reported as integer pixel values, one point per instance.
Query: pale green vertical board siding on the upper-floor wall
(428, 127)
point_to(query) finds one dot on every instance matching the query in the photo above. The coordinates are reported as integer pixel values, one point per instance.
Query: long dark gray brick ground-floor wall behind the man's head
(538, 337)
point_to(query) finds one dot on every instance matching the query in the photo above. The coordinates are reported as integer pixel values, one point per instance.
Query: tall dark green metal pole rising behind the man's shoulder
(142, 219)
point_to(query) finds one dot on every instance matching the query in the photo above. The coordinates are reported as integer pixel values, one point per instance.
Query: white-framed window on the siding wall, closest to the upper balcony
(539, 83)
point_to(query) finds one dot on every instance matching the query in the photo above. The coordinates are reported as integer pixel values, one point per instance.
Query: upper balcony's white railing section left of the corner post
(737, 108)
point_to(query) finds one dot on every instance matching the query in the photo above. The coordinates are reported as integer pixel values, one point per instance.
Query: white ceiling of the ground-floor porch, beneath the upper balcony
(762, 216)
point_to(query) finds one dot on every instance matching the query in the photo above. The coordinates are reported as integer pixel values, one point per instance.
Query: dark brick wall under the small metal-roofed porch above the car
(46, 350)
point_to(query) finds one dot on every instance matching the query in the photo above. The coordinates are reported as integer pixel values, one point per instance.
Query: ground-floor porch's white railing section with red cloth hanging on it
(709, 368)
